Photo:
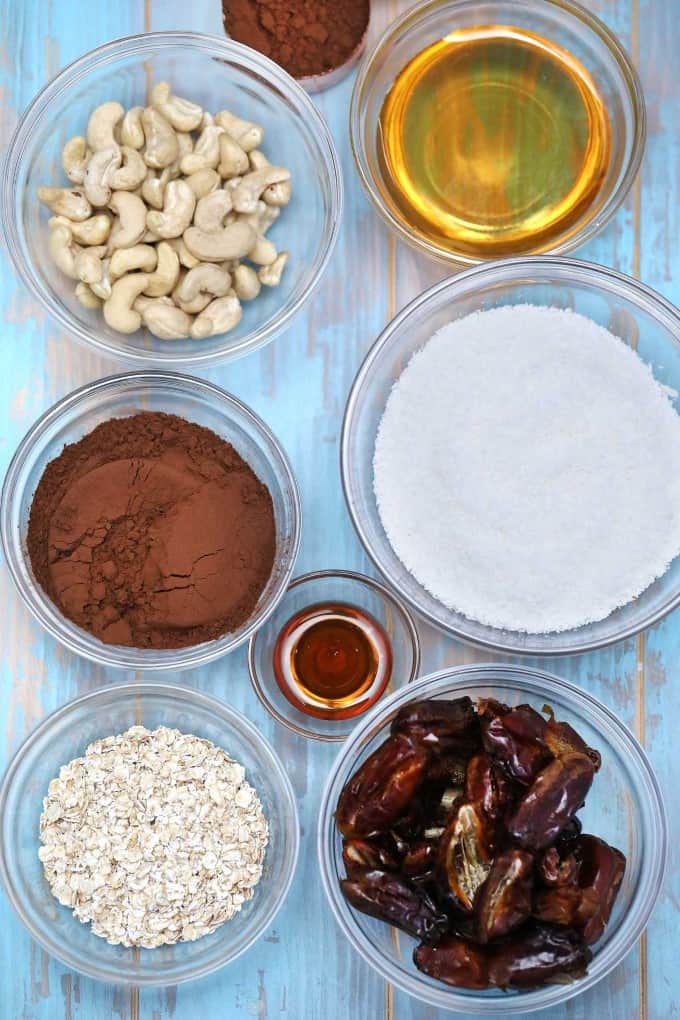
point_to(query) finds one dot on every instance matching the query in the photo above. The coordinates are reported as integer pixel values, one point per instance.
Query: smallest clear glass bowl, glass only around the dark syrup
(332, 586)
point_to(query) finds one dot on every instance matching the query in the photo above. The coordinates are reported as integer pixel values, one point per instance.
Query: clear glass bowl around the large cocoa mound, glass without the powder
(121, 396)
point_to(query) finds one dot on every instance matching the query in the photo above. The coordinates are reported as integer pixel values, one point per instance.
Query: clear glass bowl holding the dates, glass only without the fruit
(624, 807)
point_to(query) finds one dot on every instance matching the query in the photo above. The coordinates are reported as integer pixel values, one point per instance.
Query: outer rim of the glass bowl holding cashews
(130, 46)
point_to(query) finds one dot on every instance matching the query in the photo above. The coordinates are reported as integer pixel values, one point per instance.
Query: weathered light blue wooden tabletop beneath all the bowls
(302, 971)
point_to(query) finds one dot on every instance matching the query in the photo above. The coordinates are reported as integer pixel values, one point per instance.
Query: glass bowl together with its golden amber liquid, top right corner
(484, 131)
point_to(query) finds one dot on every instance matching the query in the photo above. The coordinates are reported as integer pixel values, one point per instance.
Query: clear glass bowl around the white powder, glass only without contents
(636, 314)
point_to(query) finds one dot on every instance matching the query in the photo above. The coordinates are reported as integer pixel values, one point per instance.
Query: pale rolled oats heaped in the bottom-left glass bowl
(153, 837)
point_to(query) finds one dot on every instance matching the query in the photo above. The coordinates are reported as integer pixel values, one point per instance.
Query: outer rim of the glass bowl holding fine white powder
(616, 283)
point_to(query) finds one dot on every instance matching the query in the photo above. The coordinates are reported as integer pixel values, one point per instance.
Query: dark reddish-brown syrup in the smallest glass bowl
(333, 660)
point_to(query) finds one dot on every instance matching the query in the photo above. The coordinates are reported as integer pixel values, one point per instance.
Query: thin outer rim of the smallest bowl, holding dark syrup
(389, 595)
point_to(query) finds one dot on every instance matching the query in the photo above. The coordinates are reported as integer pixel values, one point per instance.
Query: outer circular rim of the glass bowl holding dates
(542, 684)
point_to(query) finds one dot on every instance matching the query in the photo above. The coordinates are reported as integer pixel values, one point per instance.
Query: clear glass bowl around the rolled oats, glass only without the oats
(65, 736)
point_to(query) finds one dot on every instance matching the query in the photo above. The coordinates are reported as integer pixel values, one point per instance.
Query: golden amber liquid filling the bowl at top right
(495, 142)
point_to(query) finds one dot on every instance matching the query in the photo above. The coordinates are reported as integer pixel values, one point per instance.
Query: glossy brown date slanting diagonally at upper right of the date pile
(552, 800)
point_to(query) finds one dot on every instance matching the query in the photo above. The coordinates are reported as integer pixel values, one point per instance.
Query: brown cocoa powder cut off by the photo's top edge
(305, 37)
